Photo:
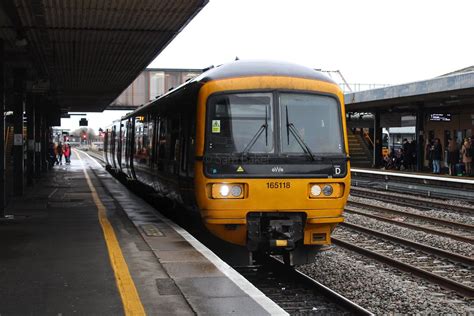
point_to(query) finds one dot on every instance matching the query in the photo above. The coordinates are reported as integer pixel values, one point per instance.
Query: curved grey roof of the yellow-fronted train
(236, 69)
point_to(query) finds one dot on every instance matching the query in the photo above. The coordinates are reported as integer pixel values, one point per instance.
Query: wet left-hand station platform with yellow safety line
(80, 242)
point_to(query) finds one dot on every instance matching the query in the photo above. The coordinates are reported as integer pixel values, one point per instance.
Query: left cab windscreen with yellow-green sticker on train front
(240, 123)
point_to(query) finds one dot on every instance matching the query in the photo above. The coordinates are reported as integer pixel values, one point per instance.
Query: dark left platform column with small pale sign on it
(18, 143)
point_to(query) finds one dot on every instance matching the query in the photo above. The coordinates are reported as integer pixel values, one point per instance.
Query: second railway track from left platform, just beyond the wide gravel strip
(449, 270)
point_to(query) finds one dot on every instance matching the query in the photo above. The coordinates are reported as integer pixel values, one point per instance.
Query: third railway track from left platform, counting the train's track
(442, 227)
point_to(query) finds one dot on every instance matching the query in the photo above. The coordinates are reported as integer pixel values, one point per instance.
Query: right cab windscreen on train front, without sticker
(310, 120)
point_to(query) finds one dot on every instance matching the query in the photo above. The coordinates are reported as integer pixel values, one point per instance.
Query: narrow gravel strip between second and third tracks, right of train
(440, 242)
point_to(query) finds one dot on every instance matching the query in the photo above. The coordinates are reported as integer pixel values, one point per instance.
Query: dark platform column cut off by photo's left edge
(2, 130)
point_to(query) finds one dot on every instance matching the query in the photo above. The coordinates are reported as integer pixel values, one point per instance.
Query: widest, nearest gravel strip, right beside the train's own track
(382, 289)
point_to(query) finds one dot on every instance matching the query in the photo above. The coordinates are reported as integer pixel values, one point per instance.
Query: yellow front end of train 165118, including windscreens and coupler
(274, 173)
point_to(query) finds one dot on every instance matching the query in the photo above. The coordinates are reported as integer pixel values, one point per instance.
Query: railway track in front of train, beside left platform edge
(297, 293)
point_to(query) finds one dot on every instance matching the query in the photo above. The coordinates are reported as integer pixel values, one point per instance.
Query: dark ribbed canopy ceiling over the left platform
(84, 53)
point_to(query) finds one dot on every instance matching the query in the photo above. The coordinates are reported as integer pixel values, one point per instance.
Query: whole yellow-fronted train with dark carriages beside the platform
(265, 152)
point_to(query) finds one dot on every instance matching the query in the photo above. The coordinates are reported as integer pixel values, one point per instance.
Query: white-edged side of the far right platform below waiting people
(441, 186)
